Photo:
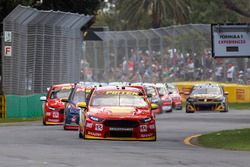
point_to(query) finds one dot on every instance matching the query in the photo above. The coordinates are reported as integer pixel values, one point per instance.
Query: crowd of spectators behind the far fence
(146, 66)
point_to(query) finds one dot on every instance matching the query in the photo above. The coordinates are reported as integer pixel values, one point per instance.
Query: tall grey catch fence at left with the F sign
(40, 48)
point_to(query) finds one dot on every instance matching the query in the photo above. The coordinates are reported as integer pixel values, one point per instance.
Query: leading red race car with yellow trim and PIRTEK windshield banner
(117, 113)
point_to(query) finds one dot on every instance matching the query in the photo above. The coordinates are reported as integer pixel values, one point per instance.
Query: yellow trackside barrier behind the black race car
(237, 93)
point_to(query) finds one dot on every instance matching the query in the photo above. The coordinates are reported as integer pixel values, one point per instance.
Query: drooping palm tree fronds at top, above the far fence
(158, 11)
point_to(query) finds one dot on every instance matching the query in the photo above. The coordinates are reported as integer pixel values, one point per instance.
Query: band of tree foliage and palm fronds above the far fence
(138, 14)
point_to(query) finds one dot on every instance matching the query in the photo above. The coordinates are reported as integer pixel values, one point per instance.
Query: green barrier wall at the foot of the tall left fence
(23, 106)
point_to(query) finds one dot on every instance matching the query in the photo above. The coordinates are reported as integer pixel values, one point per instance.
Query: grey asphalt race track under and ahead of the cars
(35, 145)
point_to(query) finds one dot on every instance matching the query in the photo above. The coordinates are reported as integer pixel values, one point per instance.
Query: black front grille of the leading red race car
(121, 123)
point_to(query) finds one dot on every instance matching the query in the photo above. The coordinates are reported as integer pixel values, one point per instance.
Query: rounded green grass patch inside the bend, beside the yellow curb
(230, 139)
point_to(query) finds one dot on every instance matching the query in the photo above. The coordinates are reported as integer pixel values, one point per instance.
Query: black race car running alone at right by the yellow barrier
(207, 97)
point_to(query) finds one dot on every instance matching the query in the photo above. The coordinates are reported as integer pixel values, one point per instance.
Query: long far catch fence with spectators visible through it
(168, 54)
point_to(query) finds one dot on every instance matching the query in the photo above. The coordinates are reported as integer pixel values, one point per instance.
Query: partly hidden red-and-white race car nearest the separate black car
(175, 96)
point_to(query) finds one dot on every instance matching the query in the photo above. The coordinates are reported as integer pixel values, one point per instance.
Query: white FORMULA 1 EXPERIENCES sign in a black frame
(230, 40)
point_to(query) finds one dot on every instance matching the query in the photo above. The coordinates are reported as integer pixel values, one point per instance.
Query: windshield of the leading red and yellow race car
(118, 100)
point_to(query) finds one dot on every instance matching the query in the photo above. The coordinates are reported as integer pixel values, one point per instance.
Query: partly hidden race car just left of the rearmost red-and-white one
(166, 100)
